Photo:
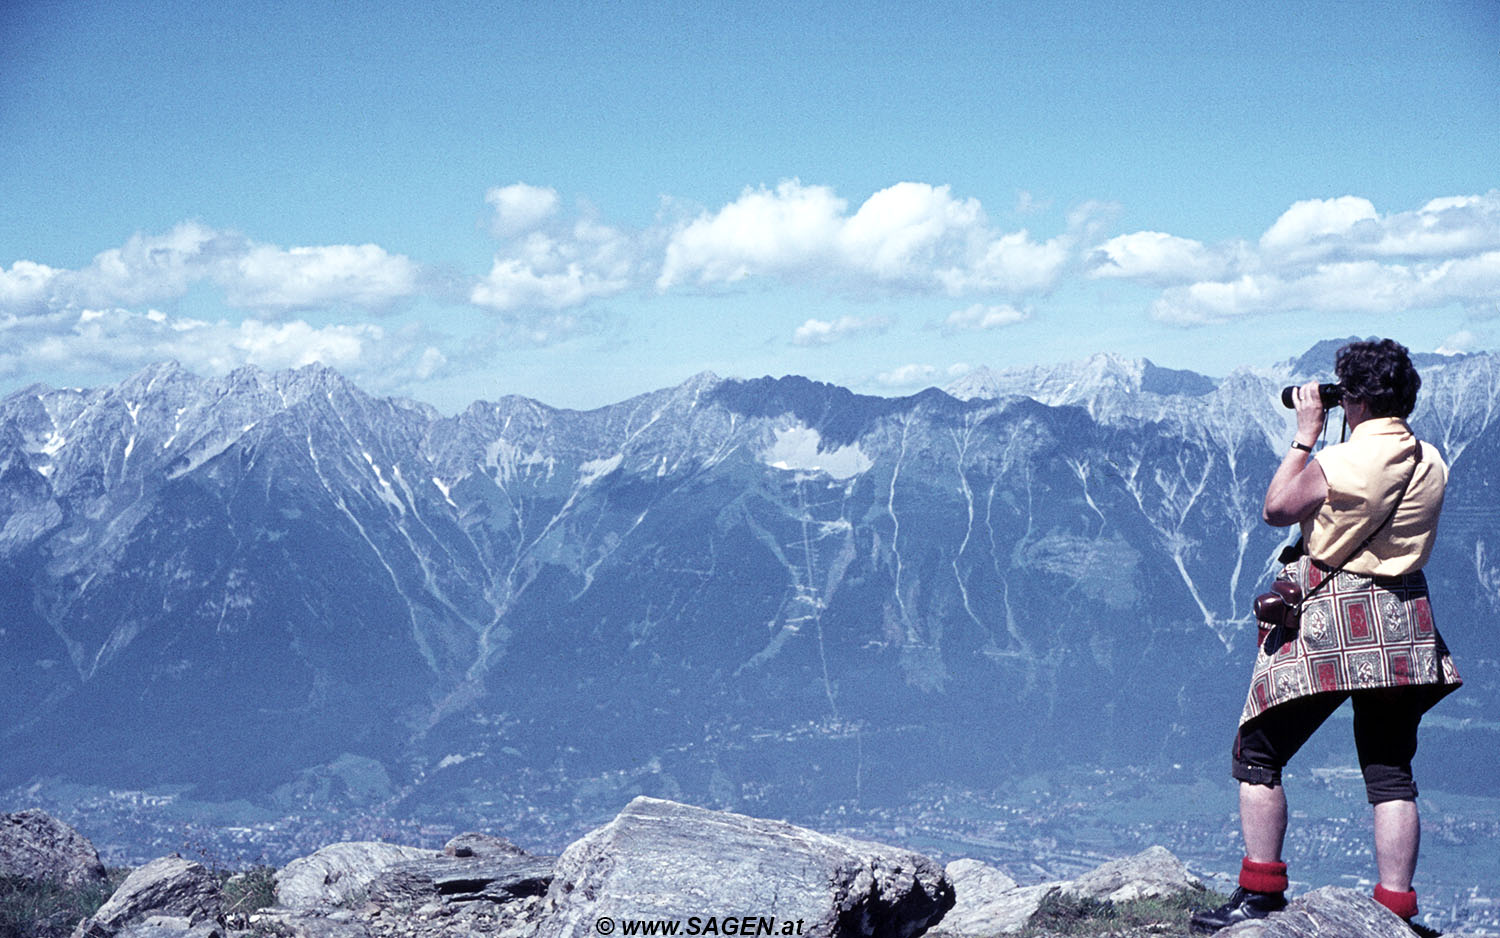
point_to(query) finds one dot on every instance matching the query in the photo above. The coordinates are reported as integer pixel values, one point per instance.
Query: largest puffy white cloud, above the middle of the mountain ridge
(910, 236)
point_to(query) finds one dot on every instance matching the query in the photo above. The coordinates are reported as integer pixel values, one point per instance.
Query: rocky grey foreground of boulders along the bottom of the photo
(659, 868)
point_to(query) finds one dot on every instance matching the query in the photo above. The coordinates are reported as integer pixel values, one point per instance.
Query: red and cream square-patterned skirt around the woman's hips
(1357, 633)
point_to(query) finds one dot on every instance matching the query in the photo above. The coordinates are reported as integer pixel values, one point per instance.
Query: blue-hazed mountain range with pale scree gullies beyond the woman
(758, 595)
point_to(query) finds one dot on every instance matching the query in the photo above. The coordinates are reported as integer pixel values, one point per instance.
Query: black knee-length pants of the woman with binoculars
(1385, 738)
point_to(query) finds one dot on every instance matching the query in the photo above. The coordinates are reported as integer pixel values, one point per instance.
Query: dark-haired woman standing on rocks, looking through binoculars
(1369, 513)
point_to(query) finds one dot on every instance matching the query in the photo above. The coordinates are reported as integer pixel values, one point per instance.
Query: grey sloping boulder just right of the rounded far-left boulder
(167, 888)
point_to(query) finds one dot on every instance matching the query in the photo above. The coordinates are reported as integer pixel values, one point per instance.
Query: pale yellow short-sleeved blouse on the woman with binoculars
(1366, 477)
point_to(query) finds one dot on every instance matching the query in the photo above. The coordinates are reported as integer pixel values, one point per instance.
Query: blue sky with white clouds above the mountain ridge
(583, 202)
